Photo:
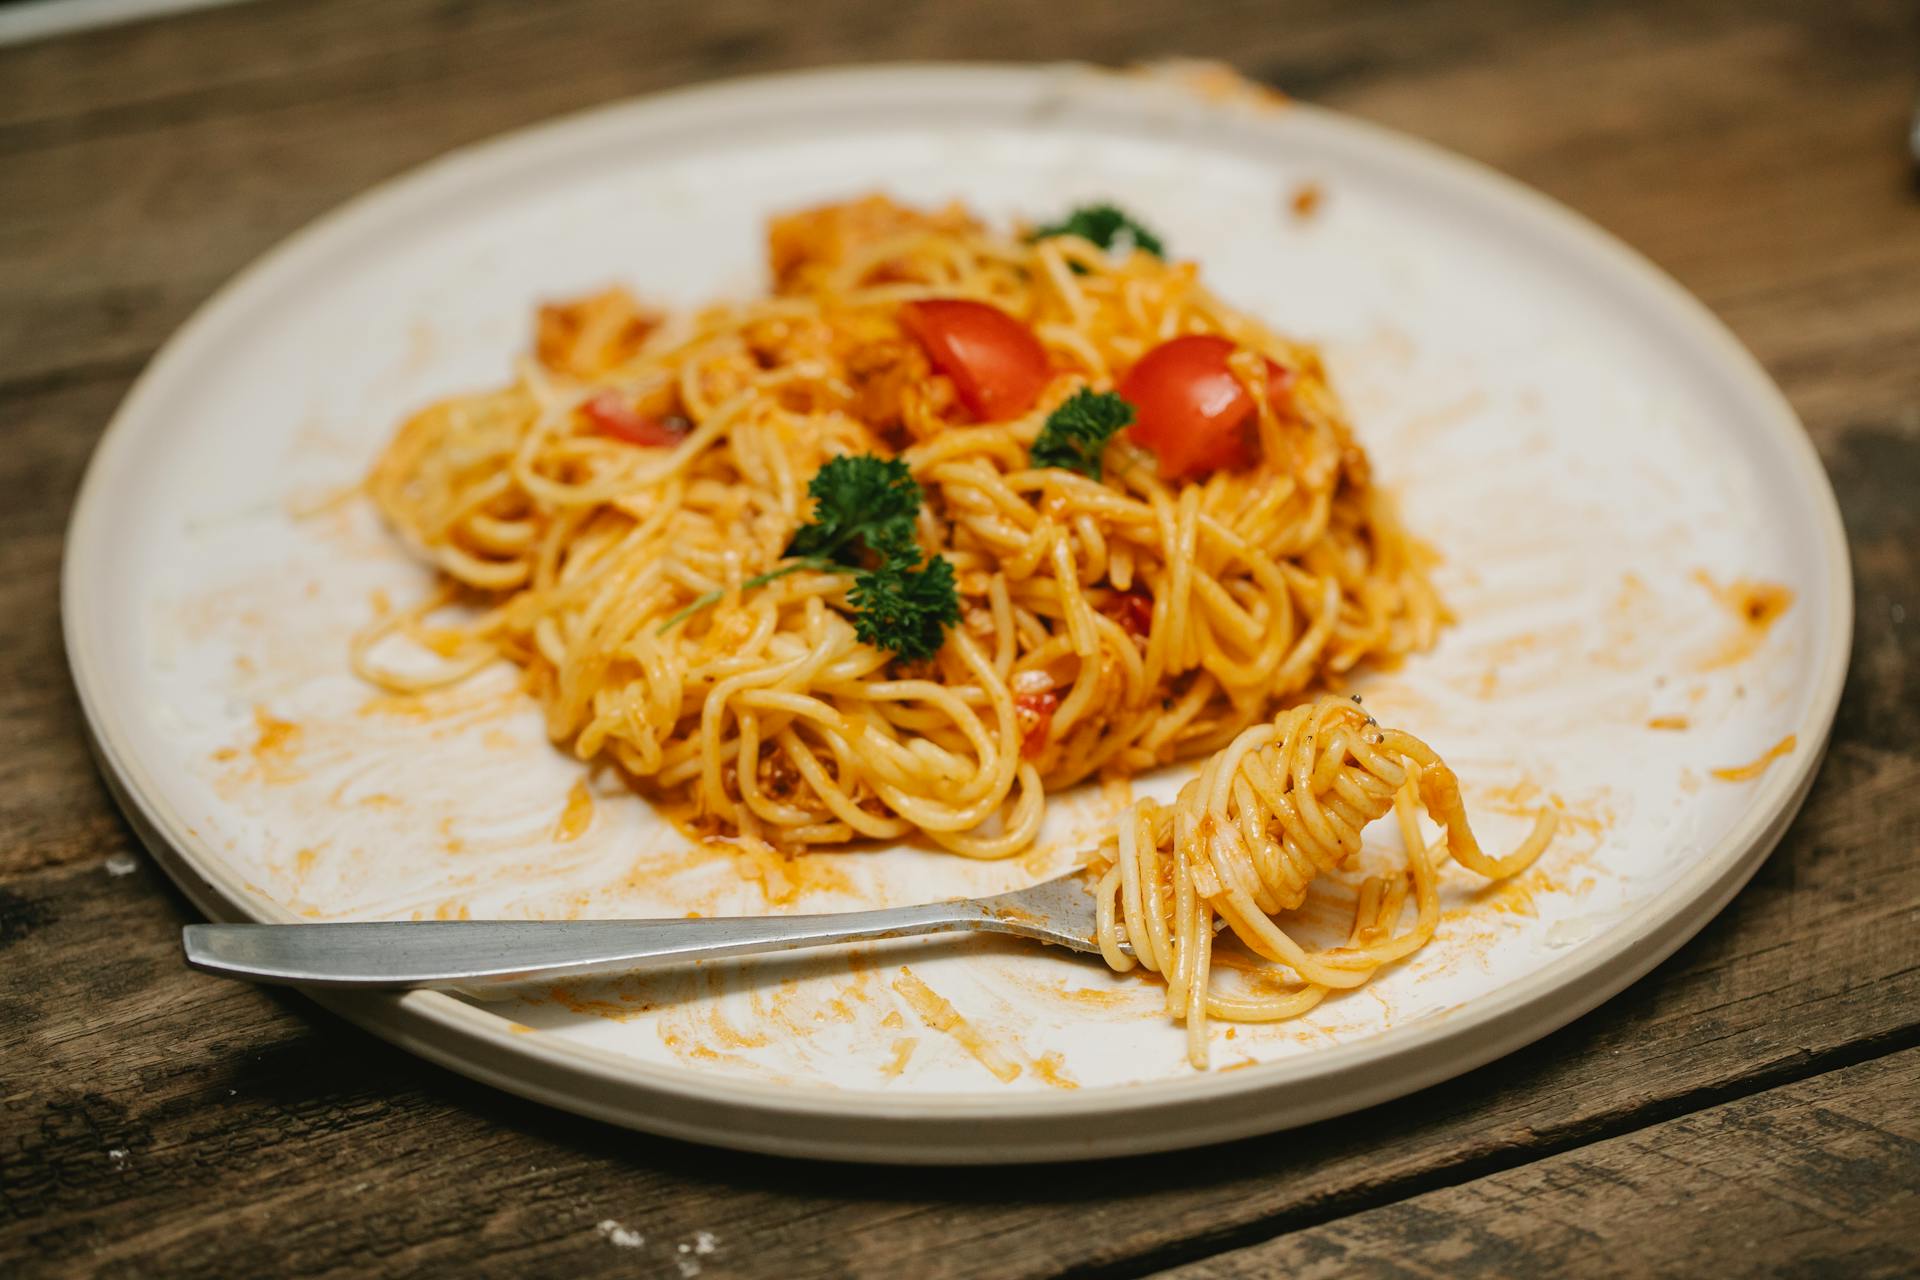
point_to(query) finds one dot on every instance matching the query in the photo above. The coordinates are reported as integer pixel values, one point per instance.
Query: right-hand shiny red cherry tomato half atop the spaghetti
(1191, 412)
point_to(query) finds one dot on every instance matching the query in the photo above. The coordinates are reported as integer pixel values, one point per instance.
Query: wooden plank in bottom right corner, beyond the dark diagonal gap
(1829, 1166)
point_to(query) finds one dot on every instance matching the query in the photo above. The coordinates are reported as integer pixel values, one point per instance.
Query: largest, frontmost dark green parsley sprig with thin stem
(863, 525)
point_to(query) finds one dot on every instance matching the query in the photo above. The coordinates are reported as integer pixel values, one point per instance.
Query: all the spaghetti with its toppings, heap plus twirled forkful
(646, 521)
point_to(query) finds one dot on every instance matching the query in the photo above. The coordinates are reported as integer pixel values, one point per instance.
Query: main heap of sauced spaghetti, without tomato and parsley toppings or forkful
(1107, 625)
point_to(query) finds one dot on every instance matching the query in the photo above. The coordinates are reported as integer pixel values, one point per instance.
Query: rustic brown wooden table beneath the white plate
(1752, 1106)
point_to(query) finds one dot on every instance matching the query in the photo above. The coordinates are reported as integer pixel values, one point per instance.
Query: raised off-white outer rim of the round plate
(972, 1127)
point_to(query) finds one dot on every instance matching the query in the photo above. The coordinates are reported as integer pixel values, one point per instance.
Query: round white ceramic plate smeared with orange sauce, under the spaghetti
(1583, 442)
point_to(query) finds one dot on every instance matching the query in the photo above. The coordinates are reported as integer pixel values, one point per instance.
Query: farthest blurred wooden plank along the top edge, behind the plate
(133, 78)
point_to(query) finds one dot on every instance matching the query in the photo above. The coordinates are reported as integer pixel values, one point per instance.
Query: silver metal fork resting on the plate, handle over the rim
(481, 953)
